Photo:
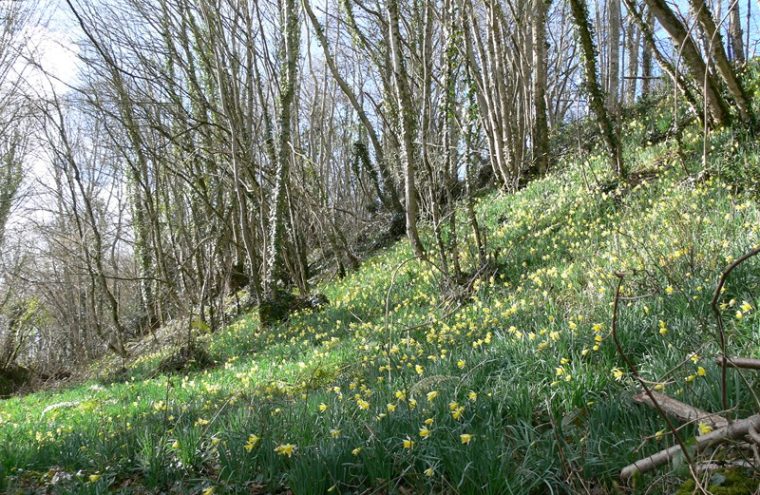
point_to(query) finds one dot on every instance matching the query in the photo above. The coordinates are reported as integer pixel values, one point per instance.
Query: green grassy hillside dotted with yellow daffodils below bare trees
(395, 388)
